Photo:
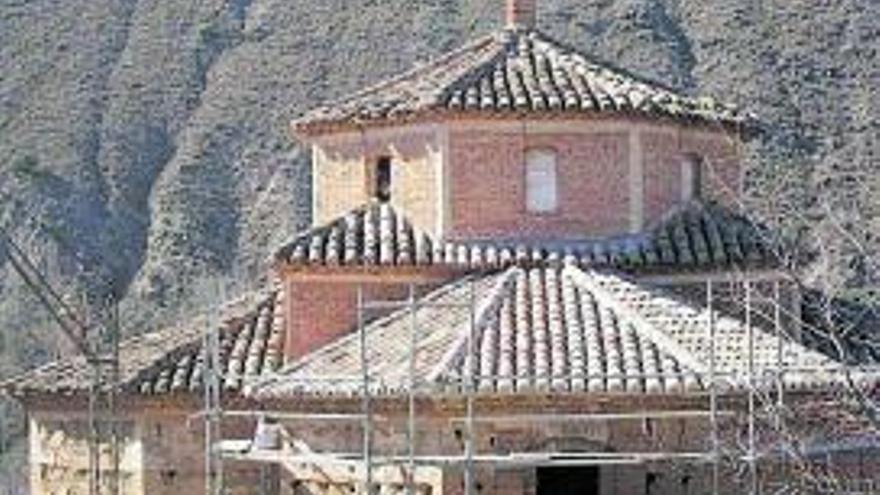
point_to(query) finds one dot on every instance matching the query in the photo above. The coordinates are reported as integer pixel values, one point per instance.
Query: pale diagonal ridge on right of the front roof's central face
(641, 324)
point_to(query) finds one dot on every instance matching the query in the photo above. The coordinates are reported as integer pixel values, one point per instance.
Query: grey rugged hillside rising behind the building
(143, 143)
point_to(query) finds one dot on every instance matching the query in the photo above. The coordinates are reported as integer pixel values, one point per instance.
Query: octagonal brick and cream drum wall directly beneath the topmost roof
(482, 191)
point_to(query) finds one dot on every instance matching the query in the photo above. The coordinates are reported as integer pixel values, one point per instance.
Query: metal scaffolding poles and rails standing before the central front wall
(760, 401)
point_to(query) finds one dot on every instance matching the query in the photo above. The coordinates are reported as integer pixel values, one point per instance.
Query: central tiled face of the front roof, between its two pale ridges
(545, 331)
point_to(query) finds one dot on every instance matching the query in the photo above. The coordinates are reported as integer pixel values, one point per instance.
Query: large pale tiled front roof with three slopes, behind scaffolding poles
(544, 329)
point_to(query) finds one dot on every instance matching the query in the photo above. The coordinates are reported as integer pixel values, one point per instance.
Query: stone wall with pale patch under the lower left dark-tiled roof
(161, 453)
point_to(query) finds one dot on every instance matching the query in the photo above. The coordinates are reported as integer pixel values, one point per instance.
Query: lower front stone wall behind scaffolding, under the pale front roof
(444, 435)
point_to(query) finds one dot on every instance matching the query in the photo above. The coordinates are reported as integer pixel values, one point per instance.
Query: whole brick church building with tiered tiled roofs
(528, 271)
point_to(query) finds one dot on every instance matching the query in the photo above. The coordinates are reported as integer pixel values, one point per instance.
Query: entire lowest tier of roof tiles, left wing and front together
(538, 329)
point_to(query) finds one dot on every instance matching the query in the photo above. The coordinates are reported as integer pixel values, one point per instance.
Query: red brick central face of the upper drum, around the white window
(487, 185)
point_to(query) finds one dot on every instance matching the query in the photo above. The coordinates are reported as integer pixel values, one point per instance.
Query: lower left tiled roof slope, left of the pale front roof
(171, 360)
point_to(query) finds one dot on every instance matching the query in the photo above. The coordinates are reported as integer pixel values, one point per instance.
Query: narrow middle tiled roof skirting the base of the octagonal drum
(378, 235)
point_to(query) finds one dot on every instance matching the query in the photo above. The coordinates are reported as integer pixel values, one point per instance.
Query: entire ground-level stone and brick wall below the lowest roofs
(163, 451)
